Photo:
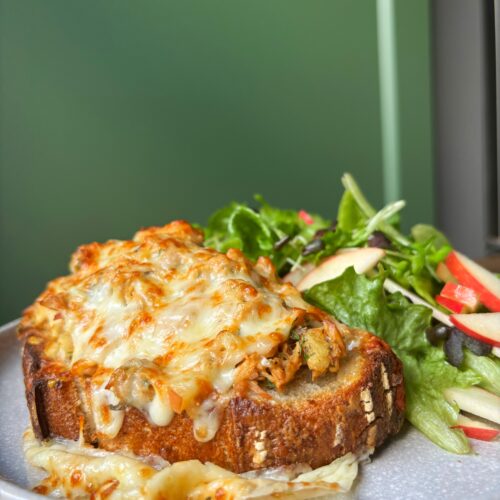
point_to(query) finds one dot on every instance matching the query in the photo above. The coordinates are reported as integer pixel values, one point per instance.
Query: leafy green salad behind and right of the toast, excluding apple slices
(297, 240)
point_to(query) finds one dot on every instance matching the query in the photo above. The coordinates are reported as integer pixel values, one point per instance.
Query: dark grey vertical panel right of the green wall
(463, 103)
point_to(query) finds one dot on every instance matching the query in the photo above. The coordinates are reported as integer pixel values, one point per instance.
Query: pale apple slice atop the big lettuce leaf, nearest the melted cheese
(363, 259)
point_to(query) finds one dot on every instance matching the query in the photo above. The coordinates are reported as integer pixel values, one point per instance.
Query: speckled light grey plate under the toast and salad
(408, 467)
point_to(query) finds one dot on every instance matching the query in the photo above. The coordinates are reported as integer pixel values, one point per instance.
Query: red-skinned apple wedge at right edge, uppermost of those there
(474, 276)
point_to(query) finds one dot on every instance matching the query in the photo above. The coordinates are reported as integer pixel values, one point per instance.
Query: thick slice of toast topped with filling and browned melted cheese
(162, 347)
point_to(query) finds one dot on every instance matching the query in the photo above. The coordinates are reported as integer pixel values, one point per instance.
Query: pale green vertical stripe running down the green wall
(386, 28)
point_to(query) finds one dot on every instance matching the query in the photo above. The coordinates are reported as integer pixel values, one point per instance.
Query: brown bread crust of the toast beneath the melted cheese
(314, 428)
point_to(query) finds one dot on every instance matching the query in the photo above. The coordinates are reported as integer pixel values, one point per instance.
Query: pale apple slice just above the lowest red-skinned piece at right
(477, 401)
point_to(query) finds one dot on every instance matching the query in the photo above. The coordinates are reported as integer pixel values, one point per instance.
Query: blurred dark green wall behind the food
(117, 114)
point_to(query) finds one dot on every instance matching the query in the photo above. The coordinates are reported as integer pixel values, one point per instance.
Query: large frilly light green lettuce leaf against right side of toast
(361, 302)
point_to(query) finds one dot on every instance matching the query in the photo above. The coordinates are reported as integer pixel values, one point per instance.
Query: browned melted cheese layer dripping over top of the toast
(161, 323)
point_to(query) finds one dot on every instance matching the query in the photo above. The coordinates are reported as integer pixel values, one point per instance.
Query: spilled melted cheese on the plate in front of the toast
(84, 472)
